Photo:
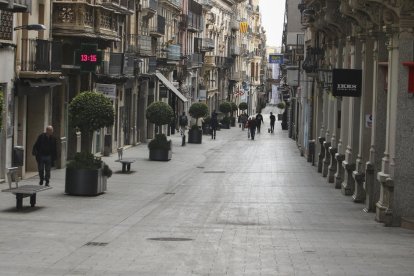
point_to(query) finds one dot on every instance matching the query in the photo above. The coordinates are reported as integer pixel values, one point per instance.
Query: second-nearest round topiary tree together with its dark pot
(159, 113)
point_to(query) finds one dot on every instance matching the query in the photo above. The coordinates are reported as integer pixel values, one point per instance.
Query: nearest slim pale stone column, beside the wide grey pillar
(384, 206)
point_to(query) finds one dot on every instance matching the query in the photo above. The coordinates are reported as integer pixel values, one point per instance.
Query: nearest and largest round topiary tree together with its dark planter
(86, 175)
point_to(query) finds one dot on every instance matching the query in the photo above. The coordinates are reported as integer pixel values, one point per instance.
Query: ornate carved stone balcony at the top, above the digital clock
(79, 19)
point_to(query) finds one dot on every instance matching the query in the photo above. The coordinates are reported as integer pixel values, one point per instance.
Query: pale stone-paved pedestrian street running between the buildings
(229, 206)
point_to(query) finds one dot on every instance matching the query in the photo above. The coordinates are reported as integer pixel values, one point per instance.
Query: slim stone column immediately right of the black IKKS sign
(366, 110)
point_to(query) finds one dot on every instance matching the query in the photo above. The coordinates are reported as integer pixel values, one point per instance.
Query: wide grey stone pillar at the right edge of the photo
(403, 173)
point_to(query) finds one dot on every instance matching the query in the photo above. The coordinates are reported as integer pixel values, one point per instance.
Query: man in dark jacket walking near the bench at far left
(45, 151)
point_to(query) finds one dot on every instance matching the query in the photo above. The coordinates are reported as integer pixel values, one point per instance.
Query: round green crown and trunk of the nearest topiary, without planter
(90, 111)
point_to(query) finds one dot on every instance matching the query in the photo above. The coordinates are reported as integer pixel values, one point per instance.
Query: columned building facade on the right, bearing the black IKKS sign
(360, 125)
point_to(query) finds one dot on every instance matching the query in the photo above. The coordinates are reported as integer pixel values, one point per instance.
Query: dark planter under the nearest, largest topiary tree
(83, 182)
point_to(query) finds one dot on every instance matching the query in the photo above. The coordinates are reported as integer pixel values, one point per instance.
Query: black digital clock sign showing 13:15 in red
(88, 57)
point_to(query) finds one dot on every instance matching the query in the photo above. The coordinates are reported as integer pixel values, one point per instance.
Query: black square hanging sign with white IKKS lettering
(346, 82)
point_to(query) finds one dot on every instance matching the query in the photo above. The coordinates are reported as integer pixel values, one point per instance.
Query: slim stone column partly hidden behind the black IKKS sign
(353, 128)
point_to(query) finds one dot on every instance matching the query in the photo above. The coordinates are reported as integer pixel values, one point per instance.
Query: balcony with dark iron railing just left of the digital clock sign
(38, 55)
